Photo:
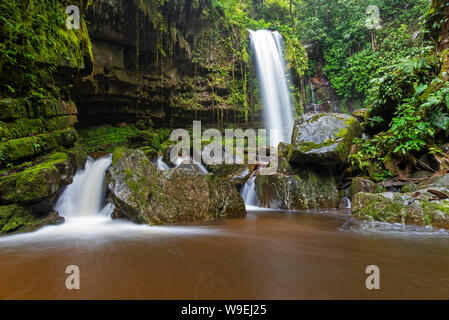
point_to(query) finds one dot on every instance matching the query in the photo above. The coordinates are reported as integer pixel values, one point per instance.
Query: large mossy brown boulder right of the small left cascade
(145, 195)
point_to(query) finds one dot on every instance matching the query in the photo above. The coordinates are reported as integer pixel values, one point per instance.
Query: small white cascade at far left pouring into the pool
(84, 197)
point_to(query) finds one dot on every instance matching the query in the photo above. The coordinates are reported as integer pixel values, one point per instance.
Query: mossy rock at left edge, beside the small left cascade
(37, 182)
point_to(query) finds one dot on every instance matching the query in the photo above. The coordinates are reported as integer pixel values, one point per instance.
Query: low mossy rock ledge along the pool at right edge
(402, 208)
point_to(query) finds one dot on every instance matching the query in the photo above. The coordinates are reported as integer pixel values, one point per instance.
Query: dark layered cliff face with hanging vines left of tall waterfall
(170, 63)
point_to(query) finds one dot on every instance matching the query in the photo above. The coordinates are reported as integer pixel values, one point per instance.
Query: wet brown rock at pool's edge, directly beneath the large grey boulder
(309, 189)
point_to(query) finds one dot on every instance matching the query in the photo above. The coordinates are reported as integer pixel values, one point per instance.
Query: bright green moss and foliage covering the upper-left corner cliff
(34, 41)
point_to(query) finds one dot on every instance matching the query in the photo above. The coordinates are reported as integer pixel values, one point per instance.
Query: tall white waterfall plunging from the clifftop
(270, 69)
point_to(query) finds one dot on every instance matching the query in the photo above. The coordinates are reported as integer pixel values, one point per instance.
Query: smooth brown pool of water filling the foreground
(267, 255)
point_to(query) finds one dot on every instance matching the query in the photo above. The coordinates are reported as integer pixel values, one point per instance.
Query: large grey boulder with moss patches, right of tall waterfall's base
(323, 138)
